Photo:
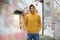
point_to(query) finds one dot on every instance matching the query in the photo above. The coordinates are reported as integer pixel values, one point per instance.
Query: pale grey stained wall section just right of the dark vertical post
(48, 13)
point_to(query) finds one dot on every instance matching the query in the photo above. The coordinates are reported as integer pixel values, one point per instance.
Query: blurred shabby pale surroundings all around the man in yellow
(12, 23)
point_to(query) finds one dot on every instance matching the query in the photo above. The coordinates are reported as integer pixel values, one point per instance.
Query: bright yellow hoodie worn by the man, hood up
(33, 23)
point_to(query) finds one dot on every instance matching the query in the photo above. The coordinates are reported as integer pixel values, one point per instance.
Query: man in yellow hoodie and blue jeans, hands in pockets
(33, 23)
